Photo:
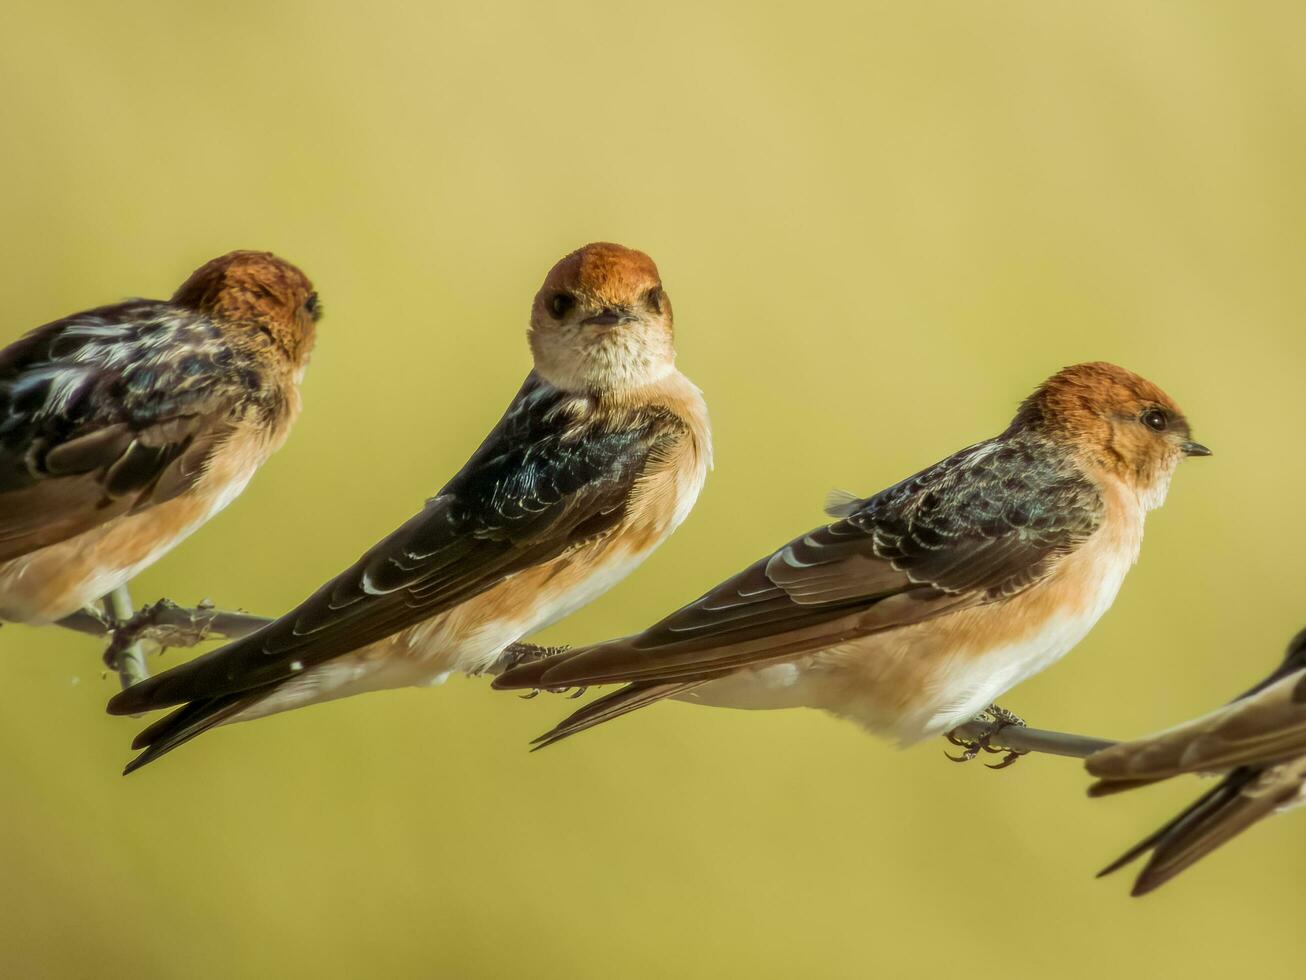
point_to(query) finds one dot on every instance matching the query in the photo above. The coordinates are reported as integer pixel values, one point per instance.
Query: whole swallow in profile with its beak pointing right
(917, 607)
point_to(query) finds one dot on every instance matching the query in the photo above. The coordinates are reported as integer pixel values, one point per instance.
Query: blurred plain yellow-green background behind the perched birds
(881, 224)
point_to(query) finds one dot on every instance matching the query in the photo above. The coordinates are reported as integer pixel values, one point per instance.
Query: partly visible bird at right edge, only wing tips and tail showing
(1258, 743)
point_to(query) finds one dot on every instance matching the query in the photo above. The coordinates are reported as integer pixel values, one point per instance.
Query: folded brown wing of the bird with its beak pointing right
(984, 525)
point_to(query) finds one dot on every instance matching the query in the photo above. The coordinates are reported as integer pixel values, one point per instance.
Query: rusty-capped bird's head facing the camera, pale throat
(603, 322)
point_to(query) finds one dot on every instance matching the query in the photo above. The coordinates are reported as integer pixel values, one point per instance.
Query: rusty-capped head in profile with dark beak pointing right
(1113, 420)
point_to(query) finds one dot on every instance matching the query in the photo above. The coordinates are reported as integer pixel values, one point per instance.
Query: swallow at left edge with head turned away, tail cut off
(126, 428)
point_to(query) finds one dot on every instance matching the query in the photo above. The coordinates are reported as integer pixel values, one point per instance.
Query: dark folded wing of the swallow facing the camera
(545, 482)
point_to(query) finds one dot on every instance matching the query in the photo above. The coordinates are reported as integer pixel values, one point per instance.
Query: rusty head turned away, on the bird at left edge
(262, 292)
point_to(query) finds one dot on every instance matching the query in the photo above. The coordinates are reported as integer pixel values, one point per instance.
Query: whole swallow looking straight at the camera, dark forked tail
(599, 458)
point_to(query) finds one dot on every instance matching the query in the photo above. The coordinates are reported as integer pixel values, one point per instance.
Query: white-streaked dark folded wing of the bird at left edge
(112, 412)
